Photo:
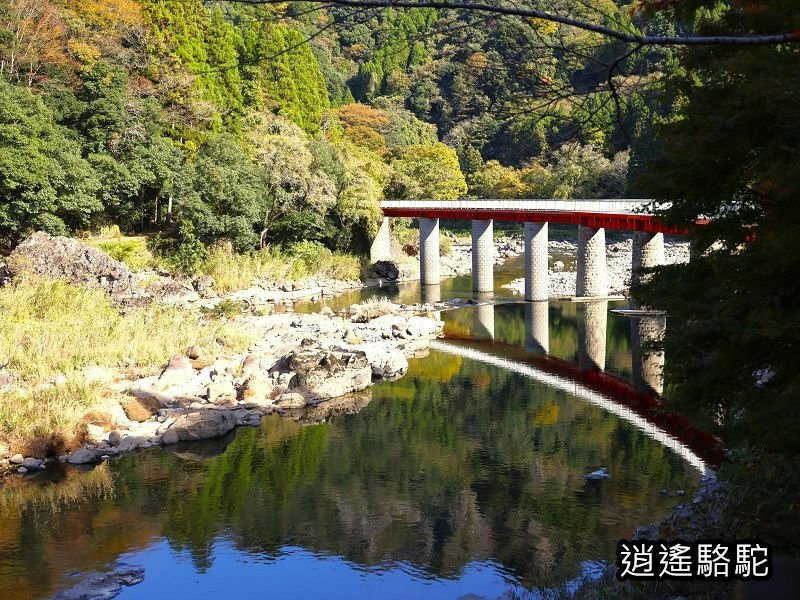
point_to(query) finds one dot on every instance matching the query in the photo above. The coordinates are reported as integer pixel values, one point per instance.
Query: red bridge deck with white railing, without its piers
(610, 214)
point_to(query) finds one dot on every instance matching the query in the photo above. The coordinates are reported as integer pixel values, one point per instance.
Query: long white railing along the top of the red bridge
(612, 206)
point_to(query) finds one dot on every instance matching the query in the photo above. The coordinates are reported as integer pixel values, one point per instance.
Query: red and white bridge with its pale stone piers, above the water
(592, 217)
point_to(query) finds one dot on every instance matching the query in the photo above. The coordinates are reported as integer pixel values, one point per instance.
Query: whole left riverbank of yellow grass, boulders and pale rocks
(85, 342)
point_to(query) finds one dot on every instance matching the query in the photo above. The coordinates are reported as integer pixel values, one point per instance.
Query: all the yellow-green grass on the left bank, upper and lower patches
(51, 331)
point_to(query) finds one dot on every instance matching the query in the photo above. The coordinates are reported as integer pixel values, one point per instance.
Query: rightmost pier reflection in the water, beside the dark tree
(648, 365)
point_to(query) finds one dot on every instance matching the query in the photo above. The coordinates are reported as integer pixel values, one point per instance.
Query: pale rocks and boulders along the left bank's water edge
(301, 362)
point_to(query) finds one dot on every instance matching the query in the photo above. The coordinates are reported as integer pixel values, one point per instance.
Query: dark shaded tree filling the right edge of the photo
(731, 154)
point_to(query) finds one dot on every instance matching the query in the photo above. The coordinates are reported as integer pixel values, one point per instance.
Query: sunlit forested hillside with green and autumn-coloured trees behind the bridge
(269, 124)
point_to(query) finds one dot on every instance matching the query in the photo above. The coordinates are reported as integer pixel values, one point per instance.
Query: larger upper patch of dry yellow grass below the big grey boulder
(50, 327)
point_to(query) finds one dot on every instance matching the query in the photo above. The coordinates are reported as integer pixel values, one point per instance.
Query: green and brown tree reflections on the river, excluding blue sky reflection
(435, 471)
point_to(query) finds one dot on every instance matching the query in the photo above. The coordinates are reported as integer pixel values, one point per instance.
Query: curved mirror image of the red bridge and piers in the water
(637, 400)
